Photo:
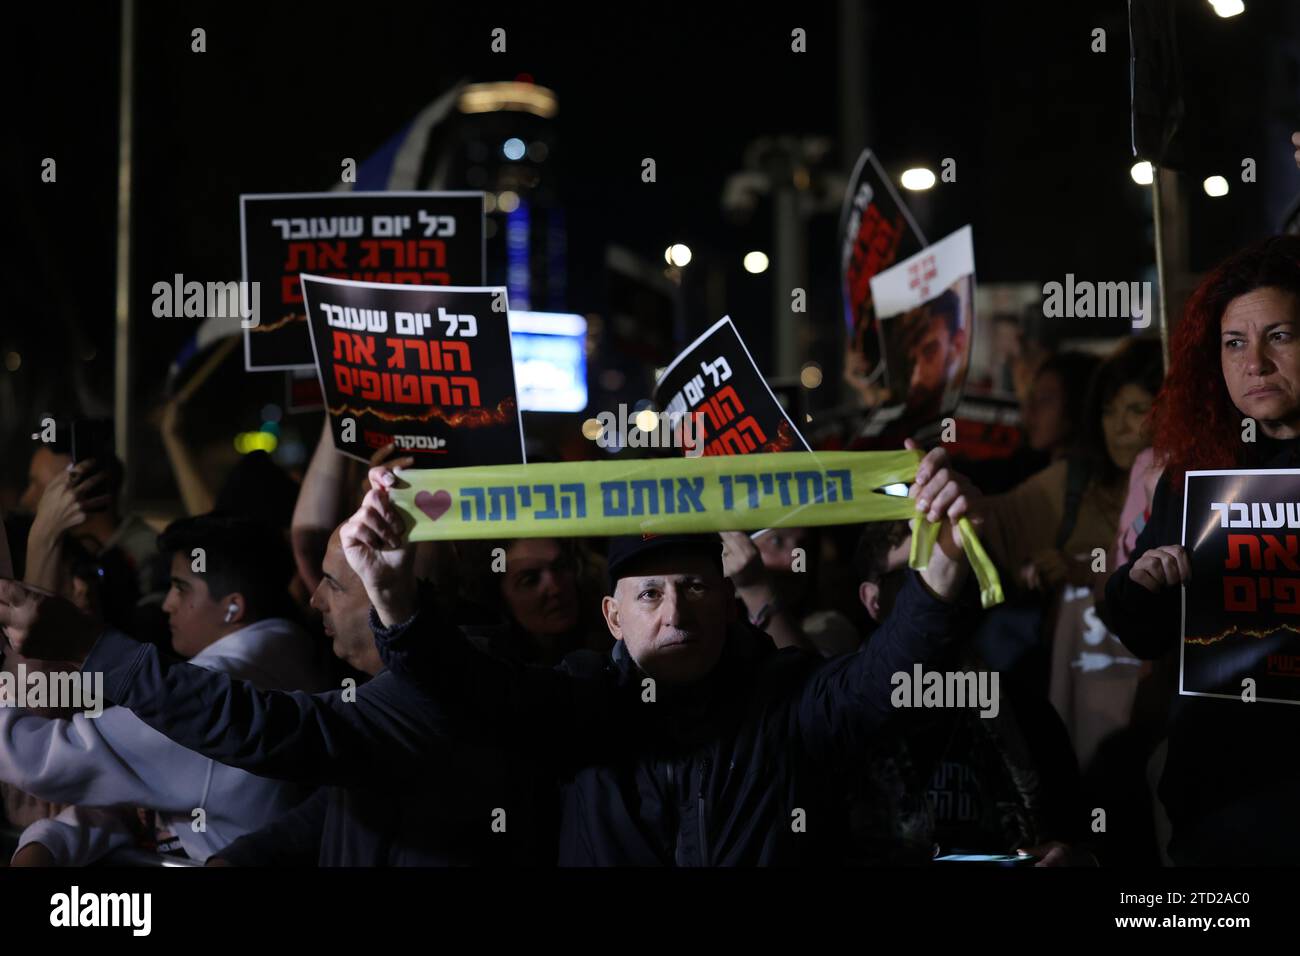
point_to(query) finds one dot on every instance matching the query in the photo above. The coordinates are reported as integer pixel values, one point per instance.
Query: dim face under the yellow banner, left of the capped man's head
(541, 587)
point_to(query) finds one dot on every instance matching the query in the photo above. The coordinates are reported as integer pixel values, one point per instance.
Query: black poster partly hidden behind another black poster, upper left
(406, 239)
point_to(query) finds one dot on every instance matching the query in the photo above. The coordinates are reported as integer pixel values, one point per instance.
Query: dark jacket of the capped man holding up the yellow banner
(731, 771)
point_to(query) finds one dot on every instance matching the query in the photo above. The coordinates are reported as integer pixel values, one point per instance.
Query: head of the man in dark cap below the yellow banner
(673, 612)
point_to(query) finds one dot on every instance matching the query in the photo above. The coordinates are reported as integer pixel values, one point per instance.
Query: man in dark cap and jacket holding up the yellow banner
(692, 743)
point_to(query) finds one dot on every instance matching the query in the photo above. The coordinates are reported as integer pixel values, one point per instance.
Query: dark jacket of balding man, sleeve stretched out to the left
(392, 793)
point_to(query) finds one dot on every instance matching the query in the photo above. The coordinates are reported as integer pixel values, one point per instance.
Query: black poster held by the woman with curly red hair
(1242, 609)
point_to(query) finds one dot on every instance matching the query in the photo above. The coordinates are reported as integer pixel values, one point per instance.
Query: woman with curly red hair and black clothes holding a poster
(1230, 784)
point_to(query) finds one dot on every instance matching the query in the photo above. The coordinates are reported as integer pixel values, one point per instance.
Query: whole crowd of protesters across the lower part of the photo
(320, 693)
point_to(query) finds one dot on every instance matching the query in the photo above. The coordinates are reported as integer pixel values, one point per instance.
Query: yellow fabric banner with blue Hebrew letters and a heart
(674, 496)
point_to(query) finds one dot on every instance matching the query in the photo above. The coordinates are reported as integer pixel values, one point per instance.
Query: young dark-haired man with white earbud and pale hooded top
(229, 579)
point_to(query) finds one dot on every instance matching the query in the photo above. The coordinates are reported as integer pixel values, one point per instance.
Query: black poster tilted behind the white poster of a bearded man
(876, 232)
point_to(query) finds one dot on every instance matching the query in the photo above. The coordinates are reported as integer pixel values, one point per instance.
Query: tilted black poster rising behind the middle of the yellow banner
(717, 380)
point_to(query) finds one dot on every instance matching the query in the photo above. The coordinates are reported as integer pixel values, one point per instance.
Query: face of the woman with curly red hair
(1260, 340)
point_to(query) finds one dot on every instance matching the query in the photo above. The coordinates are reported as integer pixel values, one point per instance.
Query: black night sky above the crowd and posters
(1039, 127)
